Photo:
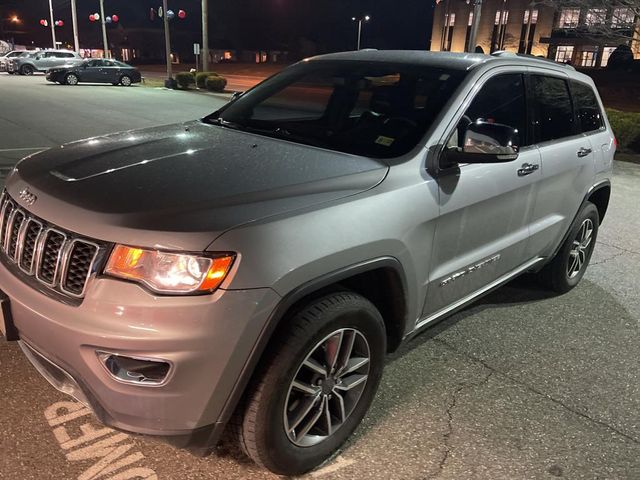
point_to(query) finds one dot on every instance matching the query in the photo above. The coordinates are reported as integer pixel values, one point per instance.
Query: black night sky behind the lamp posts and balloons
(249, 24)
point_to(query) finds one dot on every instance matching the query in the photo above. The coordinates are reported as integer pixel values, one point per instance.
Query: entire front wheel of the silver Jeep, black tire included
(274, 404)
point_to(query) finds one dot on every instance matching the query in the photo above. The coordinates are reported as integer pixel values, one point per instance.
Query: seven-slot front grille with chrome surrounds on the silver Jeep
(59, 260)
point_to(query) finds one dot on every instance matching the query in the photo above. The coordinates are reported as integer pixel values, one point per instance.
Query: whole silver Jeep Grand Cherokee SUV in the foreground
(252, 268)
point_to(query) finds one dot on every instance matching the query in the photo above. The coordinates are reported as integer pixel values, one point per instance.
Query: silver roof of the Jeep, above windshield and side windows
(449, 60)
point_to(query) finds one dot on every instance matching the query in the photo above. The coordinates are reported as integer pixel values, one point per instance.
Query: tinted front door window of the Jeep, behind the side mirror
(501, 100)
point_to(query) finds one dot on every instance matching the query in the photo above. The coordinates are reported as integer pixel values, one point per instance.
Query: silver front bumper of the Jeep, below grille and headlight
(207, 339)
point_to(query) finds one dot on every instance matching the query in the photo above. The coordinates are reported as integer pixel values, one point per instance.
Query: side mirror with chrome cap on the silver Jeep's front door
(486, 142)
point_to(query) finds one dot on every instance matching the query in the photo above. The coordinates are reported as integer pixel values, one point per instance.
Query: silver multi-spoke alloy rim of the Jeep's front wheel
(326, 387)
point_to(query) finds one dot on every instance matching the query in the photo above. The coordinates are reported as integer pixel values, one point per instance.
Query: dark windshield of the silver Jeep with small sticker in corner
(373, 109)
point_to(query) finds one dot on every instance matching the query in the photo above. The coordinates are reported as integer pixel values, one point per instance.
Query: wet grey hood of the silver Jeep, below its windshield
(180, 186)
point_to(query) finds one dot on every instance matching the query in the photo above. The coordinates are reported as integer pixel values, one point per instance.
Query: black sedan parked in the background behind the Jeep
(95, 70)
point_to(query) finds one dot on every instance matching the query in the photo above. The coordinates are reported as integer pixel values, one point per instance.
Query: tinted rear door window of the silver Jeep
(552, 109)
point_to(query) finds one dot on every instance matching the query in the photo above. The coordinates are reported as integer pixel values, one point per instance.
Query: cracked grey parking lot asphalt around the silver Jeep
(521, 385)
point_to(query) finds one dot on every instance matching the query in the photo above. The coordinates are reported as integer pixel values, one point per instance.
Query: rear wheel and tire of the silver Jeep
(569, 265)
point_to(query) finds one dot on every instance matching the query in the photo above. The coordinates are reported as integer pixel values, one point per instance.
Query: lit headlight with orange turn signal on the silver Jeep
(169, 272)
